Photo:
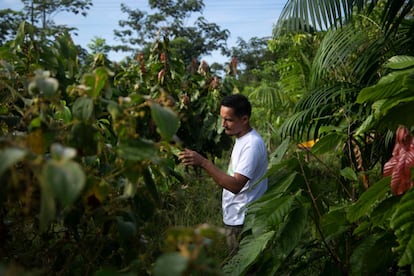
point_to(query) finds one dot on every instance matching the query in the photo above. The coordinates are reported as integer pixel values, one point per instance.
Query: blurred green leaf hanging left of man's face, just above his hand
(166, 121)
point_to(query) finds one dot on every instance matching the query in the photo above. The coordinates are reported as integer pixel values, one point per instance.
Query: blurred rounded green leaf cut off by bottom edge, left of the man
(171, 264)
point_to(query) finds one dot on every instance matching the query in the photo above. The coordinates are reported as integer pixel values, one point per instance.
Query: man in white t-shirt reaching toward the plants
(248, 164)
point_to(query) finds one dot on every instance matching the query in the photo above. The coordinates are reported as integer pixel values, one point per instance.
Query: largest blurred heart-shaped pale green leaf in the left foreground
(64, 179)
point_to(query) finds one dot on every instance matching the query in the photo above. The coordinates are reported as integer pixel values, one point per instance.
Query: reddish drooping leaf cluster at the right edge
(401, 162)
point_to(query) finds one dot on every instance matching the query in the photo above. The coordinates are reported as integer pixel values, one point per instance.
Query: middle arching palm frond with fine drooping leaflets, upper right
(351, 54)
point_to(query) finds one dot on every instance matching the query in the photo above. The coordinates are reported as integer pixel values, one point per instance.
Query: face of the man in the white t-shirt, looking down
(232, 124)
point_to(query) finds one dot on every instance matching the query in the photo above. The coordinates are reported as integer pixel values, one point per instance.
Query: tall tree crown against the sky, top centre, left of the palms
(189, 37)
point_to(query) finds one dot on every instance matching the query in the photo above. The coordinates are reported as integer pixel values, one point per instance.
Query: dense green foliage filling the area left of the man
(88, 165)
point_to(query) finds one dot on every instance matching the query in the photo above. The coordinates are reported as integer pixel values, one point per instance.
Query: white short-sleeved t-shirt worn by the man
(248, 158)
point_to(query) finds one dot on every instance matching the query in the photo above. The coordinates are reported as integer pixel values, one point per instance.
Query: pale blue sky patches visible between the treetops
(243, 18)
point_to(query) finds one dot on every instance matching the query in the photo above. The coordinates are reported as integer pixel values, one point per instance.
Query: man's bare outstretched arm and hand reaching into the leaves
(232, 183)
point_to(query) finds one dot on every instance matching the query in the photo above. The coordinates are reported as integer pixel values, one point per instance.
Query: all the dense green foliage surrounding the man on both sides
(90, 181)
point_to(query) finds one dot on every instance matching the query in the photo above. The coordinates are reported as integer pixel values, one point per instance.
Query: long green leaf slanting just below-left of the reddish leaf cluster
(369, 199)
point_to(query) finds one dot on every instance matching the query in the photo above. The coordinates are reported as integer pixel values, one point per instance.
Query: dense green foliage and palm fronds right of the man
(330, 211)
